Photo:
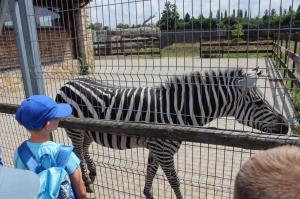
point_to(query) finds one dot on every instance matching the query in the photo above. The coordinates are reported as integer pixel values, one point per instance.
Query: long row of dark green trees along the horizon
(170, 19)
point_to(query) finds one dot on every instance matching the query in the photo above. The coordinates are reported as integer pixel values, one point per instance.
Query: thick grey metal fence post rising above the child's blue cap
(23, 17)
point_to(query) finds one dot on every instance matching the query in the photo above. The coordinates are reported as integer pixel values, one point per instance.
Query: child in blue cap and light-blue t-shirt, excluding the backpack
(40, 115)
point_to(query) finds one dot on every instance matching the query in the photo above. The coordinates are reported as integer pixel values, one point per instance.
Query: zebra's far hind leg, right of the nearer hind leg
(89, 161)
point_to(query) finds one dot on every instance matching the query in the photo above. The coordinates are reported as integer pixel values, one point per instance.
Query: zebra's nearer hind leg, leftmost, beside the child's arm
(77, 139)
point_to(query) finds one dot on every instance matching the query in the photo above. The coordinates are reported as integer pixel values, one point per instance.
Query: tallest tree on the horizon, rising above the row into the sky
(170, 16)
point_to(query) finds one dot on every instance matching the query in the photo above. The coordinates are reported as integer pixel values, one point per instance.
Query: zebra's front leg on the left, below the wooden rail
(152, 167)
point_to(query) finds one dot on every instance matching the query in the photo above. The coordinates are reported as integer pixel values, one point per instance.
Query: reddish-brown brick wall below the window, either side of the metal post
(55, 46)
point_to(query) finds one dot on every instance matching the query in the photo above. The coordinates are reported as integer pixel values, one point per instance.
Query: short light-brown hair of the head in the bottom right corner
(270, 174)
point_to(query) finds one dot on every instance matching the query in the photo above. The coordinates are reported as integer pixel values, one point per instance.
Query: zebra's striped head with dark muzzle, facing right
(254, 110)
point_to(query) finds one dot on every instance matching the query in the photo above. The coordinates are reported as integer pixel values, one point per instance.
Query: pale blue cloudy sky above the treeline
(112, 12)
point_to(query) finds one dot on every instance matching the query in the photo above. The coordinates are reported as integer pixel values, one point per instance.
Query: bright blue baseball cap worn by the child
(35, 111)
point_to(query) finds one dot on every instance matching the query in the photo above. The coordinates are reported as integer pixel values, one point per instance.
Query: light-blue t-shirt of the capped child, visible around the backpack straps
(49, 147)
